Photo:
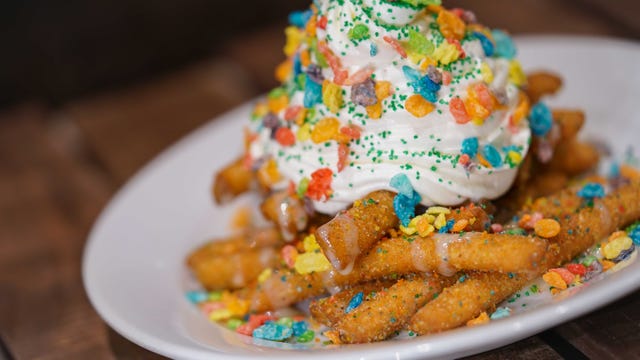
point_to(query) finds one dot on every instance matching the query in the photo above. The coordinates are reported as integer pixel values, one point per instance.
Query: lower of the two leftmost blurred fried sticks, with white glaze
(235, 270)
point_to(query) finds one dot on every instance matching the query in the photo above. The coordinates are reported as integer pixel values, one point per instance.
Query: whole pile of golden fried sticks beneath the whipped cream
(386, 278)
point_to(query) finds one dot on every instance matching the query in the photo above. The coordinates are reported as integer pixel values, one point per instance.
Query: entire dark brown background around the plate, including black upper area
(90, 91)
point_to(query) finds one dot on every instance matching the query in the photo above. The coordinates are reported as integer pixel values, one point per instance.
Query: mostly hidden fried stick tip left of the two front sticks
(329, 310)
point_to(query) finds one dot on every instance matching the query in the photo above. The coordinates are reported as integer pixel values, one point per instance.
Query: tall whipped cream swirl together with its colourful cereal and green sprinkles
(372, 89)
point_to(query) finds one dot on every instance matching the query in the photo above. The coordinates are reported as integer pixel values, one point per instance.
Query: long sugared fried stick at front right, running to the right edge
(580, 229)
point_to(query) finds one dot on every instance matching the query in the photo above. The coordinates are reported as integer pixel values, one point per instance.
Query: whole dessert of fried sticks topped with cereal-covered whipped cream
(412, 179)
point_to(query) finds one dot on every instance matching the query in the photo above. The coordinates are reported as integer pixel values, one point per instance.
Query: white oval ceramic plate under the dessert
(133, 266)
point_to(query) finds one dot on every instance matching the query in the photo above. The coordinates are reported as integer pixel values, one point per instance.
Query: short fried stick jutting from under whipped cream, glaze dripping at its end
(354, 231)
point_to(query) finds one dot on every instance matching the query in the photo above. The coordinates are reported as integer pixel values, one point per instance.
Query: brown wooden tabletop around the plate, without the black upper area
(59, 167)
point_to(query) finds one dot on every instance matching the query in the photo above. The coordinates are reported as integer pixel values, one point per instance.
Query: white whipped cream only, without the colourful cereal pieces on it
(428, 149)
